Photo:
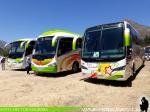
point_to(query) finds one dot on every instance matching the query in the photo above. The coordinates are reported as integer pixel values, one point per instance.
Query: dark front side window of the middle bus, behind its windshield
(65, 46)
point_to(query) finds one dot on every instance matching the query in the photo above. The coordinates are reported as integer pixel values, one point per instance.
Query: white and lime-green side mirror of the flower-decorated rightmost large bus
(127, 37)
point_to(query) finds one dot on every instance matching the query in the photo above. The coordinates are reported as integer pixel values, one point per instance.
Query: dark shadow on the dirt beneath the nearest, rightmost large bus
(127, 83)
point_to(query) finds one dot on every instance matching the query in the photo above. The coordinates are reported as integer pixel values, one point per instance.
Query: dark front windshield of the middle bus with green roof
(44, 47)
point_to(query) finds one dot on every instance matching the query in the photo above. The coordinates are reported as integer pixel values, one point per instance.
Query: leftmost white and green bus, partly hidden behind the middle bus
(18, 53)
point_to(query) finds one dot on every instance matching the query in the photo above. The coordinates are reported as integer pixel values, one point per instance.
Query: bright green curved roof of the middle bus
(58, 32)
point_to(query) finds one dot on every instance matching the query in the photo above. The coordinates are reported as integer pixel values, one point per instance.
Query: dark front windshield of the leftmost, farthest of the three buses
(16, 51)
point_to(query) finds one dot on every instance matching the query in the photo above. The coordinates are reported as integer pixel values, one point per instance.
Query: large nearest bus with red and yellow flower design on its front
(111, 52)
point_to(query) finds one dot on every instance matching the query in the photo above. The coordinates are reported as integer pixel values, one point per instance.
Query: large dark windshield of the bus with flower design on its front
(104, 43)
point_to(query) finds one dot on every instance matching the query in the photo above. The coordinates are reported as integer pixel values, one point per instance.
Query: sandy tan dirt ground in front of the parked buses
(19, 89)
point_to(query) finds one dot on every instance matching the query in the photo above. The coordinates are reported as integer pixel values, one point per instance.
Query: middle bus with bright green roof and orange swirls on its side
(54, 52)
